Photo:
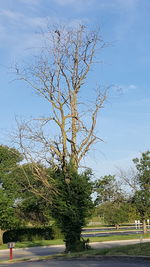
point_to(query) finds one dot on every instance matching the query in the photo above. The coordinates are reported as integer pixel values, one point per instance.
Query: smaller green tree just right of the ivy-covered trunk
(112, 205)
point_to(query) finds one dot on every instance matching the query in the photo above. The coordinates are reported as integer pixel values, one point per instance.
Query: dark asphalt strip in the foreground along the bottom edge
(102, 262)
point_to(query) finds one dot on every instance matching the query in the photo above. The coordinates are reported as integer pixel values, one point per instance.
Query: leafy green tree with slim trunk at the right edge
(141, 198)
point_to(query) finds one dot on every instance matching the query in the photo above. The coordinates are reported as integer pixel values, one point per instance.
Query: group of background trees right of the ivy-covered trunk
(115, 205)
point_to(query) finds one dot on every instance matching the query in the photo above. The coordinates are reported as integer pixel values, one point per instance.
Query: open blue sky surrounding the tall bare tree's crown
(124, 123)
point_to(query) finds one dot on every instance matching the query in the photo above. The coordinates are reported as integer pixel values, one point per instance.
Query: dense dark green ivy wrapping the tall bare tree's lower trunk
(73, 206)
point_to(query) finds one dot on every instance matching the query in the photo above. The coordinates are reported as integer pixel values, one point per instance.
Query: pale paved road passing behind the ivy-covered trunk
(49, 250)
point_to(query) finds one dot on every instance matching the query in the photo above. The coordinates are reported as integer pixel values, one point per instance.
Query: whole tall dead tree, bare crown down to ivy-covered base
(64, 137)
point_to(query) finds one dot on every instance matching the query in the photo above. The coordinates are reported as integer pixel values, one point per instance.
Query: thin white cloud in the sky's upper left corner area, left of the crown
(21, 31)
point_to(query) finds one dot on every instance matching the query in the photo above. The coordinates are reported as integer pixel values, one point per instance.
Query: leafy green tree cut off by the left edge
(9, 160)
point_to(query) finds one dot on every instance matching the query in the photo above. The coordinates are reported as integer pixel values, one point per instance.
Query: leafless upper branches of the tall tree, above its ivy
(58, 75)
